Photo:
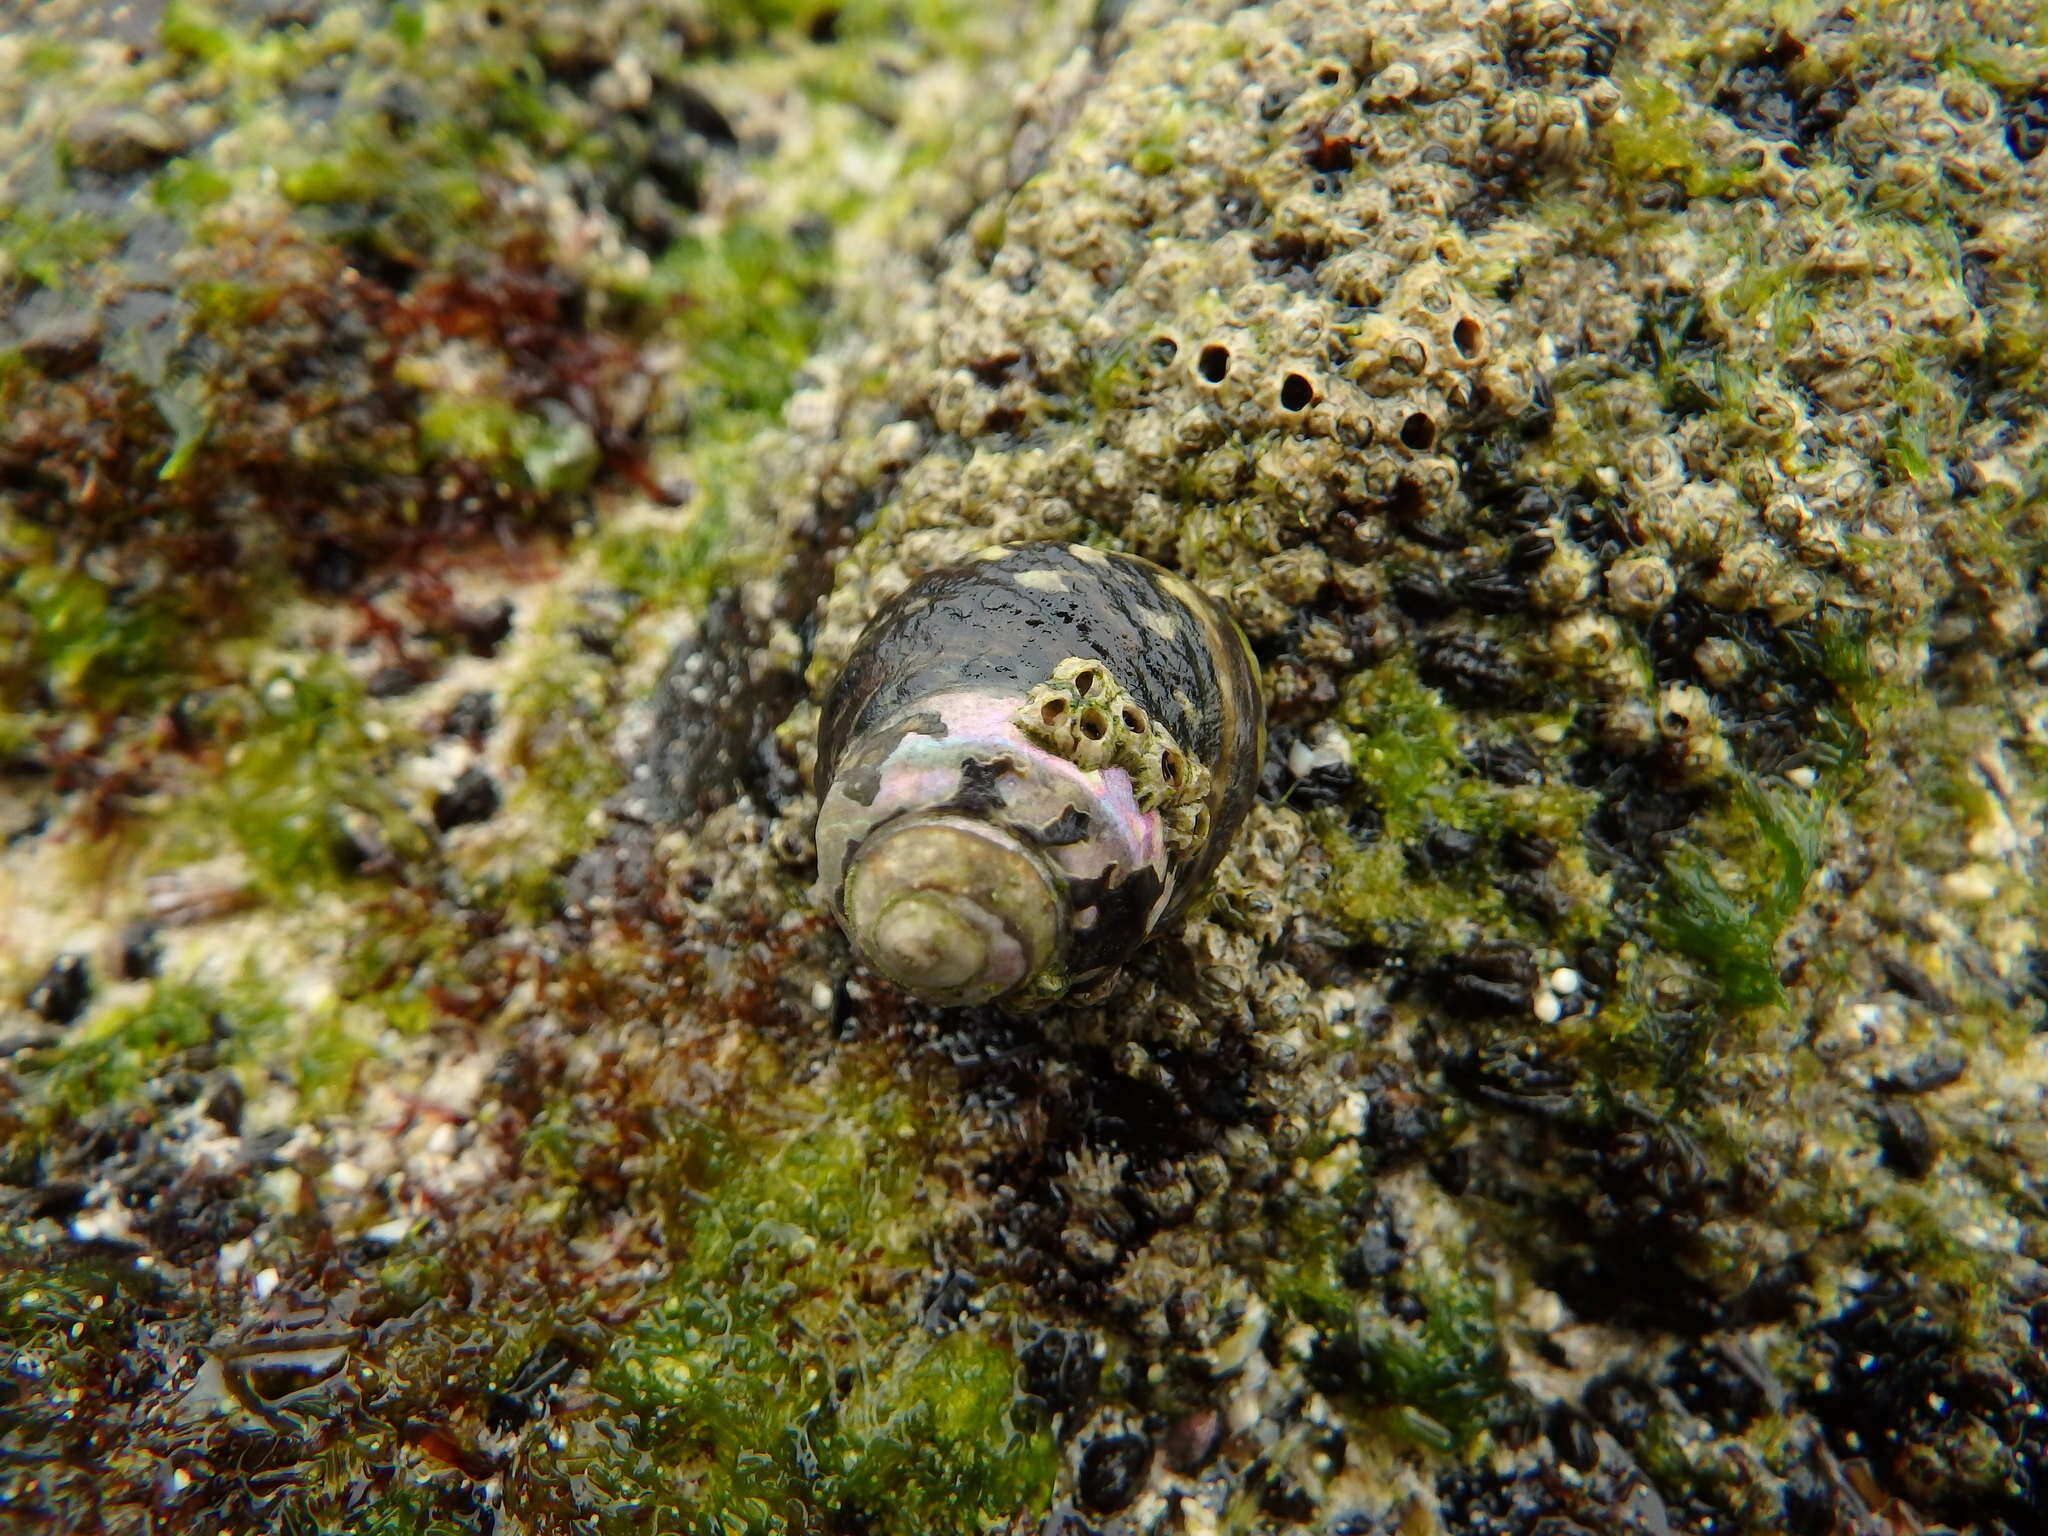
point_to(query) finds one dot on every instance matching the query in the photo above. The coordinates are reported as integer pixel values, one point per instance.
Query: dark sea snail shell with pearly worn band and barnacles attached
(1029, 767)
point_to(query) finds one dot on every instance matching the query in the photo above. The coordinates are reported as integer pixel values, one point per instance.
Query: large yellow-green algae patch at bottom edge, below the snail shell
(755, 1385)
